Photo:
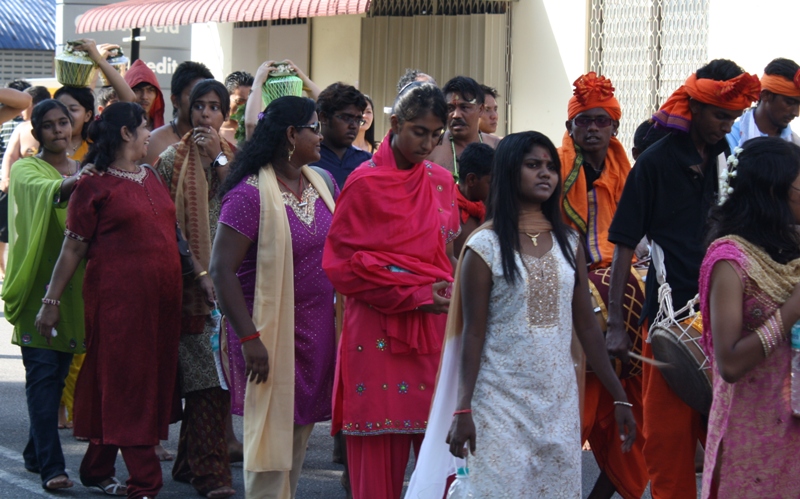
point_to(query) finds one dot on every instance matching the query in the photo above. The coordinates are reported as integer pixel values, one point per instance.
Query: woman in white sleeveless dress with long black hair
(513, 402)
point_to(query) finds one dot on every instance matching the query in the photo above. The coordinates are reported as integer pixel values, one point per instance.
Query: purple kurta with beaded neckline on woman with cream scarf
(315, 334)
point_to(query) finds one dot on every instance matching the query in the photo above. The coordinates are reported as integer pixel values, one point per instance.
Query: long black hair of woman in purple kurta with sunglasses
(268, 141)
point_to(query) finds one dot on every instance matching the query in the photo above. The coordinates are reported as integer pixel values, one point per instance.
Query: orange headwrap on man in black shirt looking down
(734, 94)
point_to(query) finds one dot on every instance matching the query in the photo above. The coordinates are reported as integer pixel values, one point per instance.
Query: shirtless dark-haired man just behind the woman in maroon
(186, 76)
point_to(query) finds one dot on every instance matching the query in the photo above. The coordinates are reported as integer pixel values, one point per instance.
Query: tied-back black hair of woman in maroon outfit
(105, 138)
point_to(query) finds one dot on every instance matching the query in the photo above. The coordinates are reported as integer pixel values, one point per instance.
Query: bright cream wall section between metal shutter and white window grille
(548, 54)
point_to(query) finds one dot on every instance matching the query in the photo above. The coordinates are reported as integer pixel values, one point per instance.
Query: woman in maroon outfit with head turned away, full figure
(123, 223)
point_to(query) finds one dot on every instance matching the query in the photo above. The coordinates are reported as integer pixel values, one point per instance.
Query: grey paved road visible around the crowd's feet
(320, 477)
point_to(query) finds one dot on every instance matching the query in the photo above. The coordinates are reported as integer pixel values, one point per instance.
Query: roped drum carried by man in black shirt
(689, 374)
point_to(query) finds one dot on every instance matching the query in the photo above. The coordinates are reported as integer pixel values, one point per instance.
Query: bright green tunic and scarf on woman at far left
(36, 232)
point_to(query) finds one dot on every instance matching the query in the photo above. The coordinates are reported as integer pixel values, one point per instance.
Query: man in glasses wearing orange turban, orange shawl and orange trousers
(594, 167)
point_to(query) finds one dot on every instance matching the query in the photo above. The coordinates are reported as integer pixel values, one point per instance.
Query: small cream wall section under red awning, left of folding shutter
(335, 49)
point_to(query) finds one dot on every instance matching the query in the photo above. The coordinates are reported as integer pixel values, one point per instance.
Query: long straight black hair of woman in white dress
(505, 193)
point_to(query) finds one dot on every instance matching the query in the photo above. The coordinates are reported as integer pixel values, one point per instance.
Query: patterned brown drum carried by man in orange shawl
(633, 301)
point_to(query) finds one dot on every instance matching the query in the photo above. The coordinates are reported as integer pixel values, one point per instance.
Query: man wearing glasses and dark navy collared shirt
(340, 108)
